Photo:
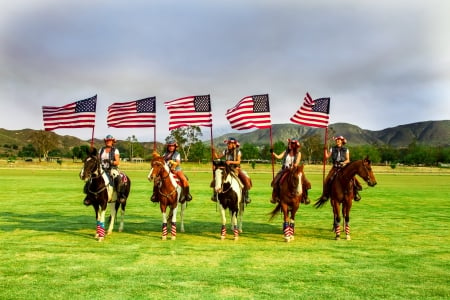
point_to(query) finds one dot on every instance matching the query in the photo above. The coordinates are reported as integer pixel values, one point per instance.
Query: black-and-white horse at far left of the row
(99, 193)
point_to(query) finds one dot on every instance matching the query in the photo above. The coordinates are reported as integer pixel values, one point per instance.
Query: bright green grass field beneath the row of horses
(399, 248)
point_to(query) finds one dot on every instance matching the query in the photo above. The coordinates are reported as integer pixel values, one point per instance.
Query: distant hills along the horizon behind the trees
(432, 133)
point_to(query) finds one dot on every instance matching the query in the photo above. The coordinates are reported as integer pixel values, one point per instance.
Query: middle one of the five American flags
(189, 111)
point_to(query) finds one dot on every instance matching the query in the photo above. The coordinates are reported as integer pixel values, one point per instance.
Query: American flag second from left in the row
(132, 114)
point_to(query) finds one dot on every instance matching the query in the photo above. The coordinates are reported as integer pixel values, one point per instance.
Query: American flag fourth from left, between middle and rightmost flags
(250, 112)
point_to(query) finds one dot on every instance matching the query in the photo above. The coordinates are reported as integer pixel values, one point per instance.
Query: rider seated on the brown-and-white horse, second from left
(173, 159)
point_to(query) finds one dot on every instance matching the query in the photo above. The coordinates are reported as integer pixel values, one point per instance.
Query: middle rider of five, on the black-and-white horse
(233, 158)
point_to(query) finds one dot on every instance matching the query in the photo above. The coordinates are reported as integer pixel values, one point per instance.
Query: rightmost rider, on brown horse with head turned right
(340, 156)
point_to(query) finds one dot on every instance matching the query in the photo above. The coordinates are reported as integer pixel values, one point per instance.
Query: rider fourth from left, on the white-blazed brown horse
(291, 158)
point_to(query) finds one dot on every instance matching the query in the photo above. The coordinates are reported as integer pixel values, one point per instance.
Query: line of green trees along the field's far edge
(192, 148)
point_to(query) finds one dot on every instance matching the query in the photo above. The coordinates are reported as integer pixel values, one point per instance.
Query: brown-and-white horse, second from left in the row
(168, 195)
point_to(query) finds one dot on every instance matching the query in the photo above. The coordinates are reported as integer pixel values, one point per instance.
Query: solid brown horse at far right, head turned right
(342, 192)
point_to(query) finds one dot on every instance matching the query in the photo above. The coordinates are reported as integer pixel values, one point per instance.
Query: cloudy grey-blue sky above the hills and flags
(383, 63)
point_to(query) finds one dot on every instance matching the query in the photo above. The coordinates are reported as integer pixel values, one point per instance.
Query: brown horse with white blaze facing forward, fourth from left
(291, 193)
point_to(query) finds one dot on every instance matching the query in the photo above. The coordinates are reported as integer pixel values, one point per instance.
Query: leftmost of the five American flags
(78, 114)
